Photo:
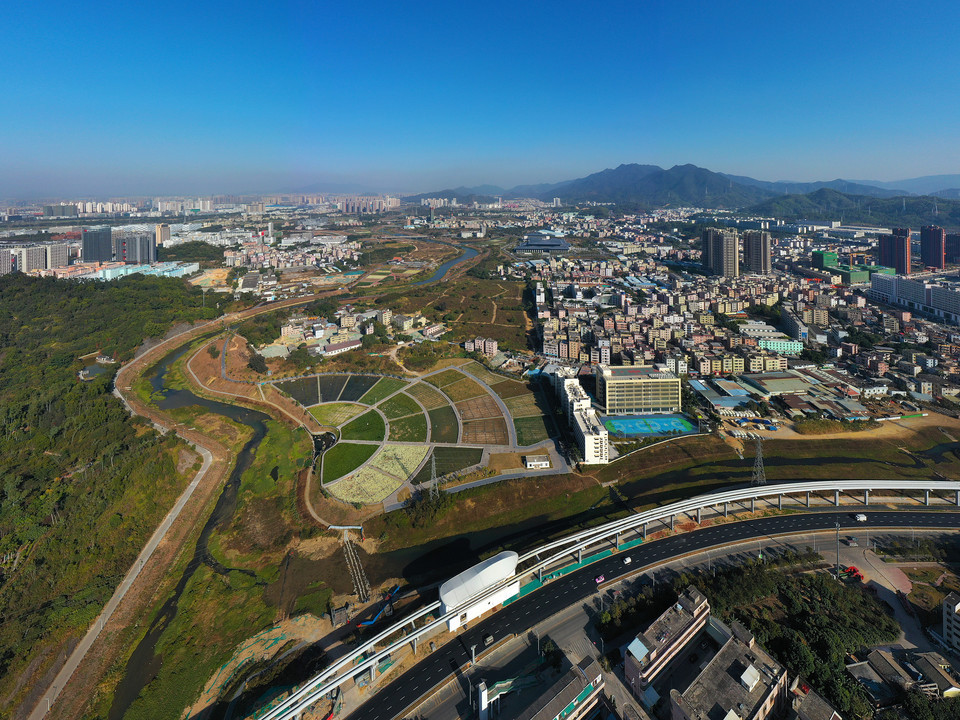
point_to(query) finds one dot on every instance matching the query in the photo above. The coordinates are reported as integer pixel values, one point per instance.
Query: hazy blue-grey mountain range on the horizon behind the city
(650, 186)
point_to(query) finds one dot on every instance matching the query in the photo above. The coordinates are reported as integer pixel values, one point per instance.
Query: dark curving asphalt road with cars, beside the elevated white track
(575, 587)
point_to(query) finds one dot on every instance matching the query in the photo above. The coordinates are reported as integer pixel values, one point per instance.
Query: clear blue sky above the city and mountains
(177, 97)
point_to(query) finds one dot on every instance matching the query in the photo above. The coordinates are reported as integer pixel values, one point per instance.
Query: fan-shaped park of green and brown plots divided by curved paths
(393, 432)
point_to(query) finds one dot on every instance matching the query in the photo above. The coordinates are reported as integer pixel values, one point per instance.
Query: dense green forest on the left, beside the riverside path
(82, 484)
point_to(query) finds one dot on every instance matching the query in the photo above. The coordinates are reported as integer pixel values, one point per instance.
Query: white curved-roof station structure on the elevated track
(456, 592)
